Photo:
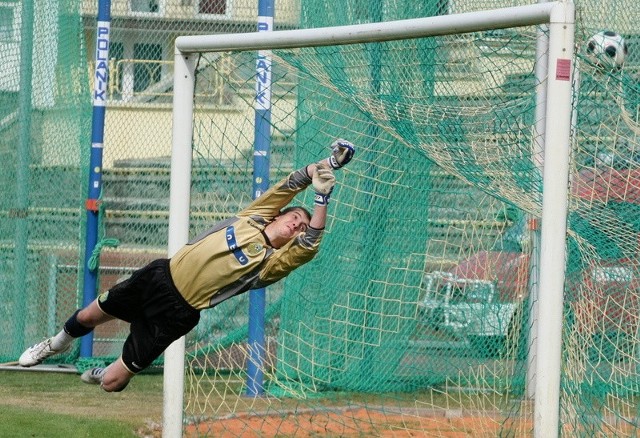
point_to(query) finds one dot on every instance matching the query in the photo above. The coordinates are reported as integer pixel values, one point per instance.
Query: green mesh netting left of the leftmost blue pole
(45, 119)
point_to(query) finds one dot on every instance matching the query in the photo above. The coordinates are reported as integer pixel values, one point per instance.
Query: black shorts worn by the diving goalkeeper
(157, 312)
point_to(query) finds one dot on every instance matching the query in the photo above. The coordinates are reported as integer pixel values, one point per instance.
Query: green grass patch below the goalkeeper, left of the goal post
(56, 405)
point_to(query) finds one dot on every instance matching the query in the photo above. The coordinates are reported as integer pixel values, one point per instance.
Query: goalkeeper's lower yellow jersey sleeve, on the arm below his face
(291, 256)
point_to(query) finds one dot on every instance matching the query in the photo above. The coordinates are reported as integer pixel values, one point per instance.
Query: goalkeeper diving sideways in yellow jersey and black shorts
(162, 301)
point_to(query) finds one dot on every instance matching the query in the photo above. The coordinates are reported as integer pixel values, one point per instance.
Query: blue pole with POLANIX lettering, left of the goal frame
(101, 72)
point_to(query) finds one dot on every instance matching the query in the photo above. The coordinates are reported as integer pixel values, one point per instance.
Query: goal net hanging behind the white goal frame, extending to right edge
(416, 316)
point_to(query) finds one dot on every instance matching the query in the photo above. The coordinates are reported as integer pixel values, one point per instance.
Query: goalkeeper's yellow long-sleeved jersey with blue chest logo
(235, 256)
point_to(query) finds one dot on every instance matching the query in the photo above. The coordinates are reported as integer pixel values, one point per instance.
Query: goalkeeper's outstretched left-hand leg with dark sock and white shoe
(79, 324)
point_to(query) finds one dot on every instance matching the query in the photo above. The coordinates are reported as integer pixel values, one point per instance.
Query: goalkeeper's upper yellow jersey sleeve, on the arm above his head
(269, 204)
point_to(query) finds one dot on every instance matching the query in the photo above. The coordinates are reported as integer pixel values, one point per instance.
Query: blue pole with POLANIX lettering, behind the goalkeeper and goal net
(262, 145)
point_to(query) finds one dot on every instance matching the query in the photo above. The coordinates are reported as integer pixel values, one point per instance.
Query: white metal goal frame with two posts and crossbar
(554, 99)
